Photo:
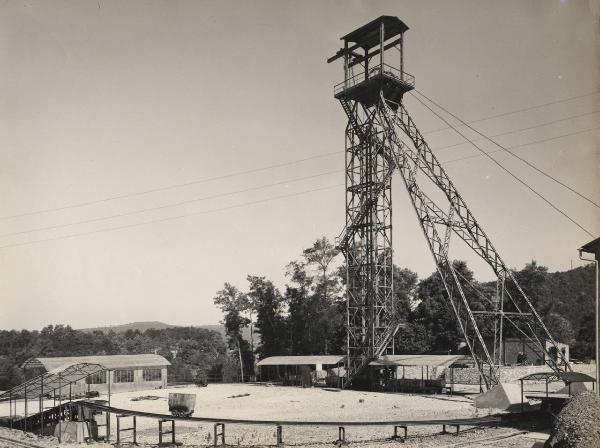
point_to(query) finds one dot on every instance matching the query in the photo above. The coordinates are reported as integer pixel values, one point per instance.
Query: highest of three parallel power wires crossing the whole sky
(259, 169)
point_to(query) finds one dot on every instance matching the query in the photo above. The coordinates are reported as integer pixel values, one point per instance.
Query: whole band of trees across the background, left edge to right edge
(307, 318)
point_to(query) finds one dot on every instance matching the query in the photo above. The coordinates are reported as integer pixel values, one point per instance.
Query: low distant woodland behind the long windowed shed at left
(195, 354)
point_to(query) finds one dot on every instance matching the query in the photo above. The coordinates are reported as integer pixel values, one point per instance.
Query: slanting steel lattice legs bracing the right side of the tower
(525, 319)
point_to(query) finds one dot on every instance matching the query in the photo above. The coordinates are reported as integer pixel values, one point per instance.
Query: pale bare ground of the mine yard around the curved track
(261, 402)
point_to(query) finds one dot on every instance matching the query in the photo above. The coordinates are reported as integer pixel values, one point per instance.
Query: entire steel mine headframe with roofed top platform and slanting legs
(371, 96)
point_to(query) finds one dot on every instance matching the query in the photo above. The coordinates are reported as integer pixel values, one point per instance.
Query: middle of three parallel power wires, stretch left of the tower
(161, 207)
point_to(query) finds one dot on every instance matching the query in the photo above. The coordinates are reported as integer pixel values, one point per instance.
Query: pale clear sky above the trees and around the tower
(222, 114)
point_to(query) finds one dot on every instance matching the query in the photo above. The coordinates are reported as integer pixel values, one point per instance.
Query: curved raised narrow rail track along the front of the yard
(478, 421)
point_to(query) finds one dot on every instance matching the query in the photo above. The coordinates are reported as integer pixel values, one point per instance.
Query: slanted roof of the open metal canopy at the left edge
(52, 381)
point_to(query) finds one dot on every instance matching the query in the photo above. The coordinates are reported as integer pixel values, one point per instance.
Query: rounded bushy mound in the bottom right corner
(577, 424)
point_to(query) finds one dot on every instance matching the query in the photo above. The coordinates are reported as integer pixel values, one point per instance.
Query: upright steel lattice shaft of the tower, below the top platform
(367, 240)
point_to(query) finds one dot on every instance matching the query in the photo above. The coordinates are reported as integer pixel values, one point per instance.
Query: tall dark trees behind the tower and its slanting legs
(308, 316)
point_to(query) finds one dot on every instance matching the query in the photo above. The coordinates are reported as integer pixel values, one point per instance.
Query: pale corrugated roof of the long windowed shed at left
(110, 362)
